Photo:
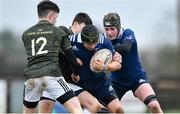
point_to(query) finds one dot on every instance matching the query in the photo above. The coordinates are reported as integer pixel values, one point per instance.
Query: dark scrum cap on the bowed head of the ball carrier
(90, 34)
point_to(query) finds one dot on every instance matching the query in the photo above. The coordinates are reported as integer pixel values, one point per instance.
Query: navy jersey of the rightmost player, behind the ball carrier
(131, 66)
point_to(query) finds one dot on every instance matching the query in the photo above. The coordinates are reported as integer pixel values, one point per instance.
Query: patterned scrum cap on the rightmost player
(112, 20)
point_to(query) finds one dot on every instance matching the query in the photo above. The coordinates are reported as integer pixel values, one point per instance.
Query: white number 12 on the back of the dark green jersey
(40, 51)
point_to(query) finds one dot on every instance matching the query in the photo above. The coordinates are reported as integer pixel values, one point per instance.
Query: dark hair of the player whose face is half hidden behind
(82, 18)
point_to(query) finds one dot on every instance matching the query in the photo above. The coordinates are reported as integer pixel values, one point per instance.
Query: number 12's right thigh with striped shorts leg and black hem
(61, 91)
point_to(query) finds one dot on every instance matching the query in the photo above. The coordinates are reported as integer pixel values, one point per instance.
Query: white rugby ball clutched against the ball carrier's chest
(104, 55)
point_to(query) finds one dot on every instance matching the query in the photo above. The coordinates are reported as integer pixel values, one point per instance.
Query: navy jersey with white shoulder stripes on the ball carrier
(85, 55)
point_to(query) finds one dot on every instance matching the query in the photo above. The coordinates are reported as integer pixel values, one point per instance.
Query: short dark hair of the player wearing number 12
(45, 6)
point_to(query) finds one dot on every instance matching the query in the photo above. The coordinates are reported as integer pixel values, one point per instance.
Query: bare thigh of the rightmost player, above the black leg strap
(143, 91)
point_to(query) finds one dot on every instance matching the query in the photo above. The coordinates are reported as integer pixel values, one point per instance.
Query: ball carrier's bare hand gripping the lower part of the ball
(97, 64)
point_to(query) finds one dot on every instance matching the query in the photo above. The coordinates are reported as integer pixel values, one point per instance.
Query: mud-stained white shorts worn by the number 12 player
(54, 86)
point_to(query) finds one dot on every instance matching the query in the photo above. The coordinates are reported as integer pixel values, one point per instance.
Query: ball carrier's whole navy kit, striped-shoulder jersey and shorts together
(95, 83)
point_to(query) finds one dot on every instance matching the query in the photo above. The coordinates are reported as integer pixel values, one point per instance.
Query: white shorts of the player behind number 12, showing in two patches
(46, 95)
